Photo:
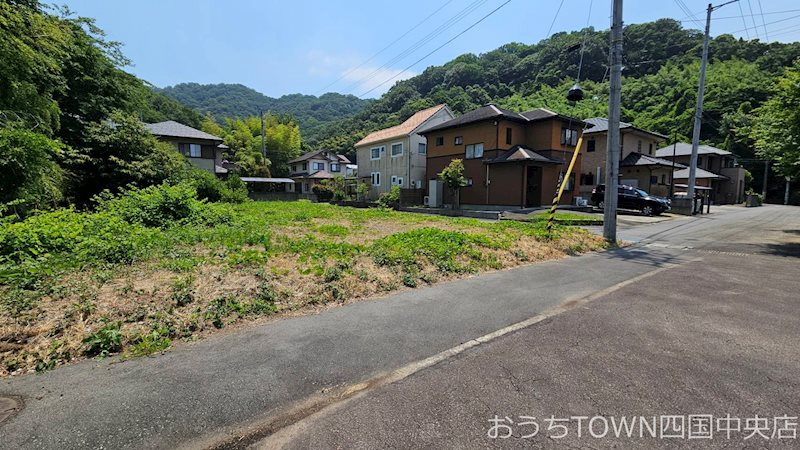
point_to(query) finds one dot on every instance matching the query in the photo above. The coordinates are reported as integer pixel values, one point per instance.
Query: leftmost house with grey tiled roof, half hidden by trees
(203, 150)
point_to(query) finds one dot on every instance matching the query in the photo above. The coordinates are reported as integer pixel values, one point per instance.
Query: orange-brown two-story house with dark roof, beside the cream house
(510, 159)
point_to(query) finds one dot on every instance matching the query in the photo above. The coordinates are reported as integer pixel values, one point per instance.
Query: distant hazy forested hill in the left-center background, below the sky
(235, 100)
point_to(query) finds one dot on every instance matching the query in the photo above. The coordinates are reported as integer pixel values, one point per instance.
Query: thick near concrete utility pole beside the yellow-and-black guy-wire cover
(612, 152)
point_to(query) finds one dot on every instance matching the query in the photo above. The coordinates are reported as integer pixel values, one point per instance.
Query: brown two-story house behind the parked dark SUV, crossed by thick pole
(638, 163)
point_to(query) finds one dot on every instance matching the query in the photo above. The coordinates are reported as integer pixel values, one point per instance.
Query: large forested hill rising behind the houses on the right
(659, 86)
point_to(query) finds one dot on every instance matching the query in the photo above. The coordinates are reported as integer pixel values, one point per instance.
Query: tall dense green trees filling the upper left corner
(70, 116)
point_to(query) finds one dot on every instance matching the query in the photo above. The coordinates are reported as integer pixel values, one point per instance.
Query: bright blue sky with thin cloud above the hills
(306, 45)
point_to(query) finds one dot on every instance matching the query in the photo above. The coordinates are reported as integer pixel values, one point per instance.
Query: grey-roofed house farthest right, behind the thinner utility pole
(717, 170)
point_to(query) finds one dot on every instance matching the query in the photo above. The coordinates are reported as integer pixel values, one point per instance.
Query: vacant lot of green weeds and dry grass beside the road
(76, 285)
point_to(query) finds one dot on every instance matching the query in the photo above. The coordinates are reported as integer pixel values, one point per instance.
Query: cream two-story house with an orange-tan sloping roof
(397, 156)
